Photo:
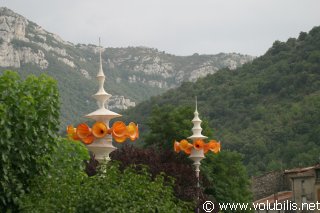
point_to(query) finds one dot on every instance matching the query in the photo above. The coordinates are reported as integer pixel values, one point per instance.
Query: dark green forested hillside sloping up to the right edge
(268, 110)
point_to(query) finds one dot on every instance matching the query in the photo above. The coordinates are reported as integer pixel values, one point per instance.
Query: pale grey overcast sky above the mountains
(180, 27)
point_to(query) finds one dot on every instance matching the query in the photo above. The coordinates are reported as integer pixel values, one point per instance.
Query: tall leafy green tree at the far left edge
(29, 113)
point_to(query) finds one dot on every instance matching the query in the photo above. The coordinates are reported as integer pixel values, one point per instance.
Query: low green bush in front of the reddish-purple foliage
(133, 192)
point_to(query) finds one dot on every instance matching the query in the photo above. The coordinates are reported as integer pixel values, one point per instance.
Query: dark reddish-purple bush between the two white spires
(173, 165)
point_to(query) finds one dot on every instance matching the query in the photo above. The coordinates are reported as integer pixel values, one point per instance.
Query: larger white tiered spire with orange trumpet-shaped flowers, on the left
(98, 139)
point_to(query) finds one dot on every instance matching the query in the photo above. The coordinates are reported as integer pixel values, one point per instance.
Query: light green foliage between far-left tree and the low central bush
(51, 191)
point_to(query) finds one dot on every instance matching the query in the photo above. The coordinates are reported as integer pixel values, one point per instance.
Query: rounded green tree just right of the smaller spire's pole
(227, 176)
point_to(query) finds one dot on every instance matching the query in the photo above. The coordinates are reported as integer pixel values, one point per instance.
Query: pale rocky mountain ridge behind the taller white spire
(133, 74)
